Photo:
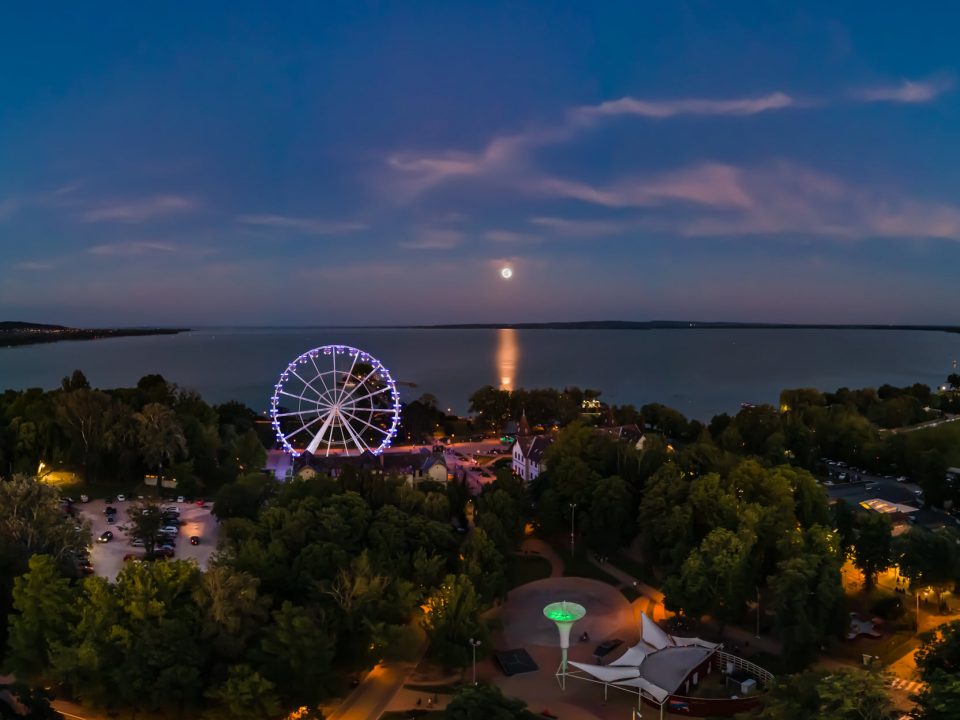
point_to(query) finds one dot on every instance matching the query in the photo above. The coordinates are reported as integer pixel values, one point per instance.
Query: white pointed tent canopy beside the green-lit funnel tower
(656, 667)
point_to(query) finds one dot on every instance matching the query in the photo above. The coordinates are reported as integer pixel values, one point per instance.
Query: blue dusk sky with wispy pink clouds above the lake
(374, 162)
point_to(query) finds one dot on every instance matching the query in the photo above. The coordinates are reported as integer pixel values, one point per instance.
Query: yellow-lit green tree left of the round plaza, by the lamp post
(452, 618)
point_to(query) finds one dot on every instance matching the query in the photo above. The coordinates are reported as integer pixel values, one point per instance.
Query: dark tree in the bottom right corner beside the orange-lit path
(938, 660)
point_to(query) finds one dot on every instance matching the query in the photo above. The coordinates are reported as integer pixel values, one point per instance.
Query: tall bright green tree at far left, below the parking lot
(42, 599)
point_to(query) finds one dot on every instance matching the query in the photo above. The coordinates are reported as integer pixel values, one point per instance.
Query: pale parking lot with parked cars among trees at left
(107, 558)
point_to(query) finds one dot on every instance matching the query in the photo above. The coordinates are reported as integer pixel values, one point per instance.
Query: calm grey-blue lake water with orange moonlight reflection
(699, 372)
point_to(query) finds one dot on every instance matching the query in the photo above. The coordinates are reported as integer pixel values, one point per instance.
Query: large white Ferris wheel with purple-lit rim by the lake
(335, 399)
